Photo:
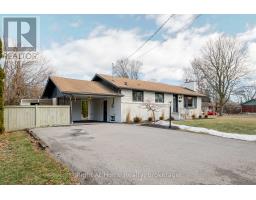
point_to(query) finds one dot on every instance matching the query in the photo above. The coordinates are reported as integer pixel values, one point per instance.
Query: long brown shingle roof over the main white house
(126, 83)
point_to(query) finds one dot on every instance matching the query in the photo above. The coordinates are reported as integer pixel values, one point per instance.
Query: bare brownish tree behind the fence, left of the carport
(24, 78)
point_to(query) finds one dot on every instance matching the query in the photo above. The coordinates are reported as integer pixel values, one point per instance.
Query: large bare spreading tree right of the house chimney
(222, 64)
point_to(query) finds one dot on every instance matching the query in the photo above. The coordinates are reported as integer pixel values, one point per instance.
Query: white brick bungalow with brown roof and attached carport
(115, 99)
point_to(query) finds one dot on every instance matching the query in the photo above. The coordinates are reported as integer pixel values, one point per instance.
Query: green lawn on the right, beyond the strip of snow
(232, 124)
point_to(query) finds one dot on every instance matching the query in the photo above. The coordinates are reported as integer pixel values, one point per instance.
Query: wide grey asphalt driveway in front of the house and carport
(103, 153)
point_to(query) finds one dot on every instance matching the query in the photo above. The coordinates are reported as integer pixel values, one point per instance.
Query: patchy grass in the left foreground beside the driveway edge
(22, 162)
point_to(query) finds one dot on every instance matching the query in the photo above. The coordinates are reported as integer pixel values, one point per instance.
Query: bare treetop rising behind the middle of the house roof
(127, 68)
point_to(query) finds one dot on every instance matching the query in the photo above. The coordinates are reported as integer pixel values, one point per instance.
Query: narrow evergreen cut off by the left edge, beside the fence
(1, 91)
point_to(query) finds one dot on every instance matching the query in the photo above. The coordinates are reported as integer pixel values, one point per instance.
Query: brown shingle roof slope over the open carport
(67, 85)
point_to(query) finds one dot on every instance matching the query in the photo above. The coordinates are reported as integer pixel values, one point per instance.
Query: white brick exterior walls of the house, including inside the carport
(124, 105)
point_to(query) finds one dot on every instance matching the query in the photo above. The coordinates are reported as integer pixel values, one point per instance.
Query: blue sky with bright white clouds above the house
(79, 46)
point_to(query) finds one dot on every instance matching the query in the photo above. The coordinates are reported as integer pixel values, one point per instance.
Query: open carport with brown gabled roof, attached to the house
(103, 103)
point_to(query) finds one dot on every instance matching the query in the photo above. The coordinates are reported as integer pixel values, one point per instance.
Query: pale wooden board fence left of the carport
(22, 117)
